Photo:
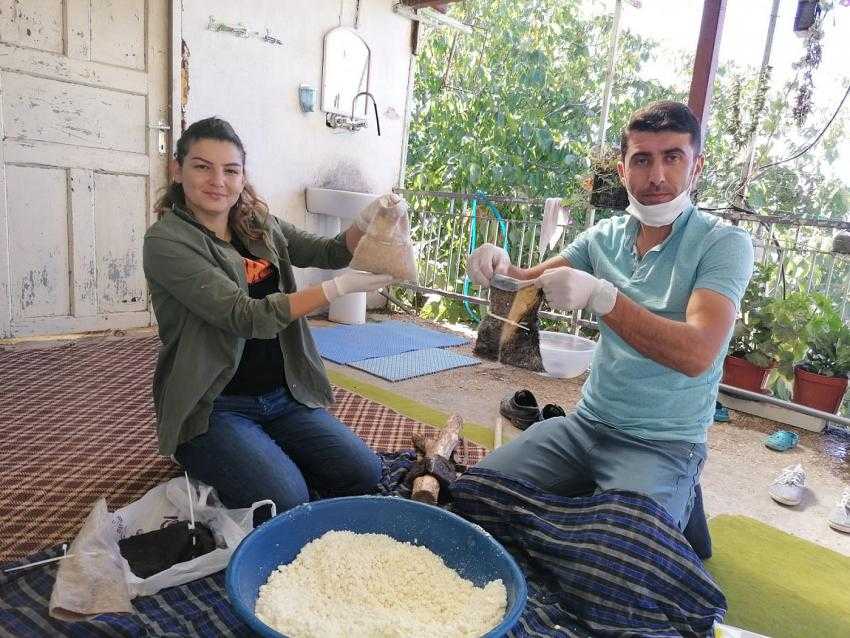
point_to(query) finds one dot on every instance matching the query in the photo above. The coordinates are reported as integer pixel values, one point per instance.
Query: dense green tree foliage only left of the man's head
(513, 108)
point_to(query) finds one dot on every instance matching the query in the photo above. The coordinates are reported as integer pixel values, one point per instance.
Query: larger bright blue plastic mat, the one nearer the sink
(345, 344)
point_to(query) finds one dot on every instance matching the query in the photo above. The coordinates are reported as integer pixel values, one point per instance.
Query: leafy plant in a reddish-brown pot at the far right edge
(820, 380)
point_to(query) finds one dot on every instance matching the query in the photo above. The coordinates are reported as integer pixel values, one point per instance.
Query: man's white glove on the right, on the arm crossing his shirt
(571, 289)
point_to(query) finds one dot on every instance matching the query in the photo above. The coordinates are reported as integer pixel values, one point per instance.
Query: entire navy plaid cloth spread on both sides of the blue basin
(613, 563)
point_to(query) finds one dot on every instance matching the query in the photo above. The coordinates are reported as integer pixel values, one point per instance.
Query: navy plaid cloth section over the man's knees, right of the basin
(613, 563)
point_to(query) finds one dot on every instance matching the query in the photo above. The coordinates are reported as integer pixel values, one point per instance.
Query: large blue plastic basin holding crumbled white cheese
(464, 547)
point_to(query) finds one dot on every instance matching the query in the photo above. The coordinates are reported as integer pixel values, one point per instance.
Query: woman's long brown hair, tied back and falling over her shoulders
(249, 215)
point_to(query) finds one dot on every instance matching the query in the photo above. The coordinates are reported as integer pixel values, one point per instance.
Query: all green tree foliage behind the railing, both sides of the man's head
(513, 109)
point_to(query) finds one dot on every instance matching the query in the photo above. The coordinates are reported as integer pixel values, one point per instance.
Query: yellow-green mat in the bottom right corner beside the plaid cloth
(777, 584)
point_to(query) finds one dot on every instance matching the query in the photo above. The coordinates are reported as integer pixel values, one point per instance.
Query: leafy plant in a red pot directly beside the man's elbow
(752, 352)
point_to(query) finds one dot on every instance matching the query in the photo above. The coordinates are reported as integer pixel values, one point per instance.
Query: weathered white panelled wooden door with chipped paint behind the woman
(81, 83)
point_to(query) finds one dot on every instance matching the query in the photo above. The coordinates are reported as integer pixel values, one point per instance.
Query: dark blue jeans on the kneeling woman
(273, 447)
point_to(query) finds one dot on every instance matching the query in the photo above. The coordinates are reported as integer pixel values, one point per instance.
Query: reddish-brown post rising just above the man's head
(705, 60)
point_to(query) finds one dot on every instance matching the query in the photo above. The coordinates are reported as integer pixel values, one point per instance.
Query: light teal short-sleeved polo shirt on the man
(625, 389)
